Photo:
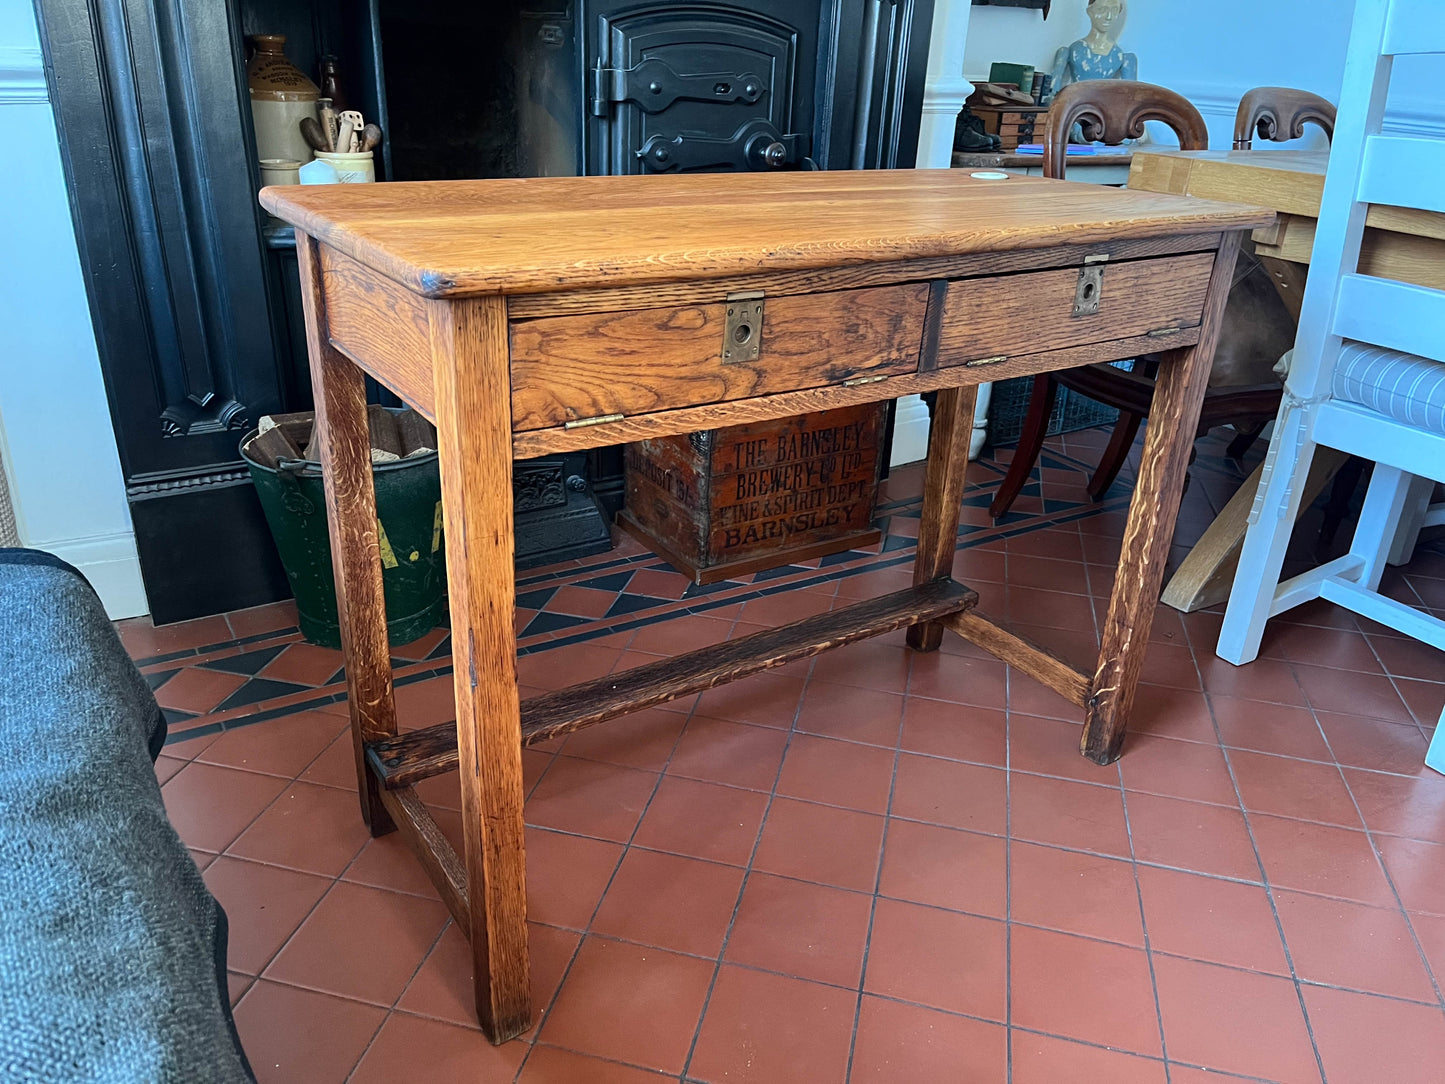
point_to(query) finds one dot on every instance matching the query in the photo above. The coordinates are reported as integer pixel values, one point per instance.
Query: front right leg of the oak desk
(1174, 417)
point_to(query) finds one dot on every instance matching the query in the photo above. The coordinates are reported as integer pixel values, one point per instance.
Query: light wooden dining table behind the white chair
(1399, 244)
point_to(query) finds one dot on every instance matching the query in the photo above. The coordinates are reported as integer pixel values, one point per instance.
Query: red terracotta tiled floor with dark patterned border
(871, 866)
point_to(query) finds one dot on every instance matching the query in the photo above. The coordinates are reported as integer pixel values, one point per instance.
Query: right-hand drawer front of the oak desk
(1028, 314)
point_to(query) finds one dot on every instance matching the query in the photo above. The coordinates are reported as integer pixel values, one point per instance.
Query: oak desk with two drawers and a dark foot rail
(531, 317)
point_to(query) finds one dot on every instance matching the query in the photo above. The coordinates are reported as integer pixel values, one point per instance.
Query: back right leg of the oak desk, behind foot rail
(943, 494)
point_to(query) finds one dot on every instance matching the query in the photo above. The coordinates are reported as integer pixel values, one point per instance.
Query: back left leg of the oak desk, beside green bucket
(346, 463)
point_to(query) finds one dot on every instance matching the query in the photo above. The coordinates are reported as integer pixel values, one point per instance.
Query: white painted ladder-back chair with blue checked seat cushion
(1369, 369)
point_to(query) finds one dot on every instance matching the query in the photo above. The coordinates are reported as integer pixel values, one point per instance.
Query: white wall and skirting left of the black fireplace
(56, 430)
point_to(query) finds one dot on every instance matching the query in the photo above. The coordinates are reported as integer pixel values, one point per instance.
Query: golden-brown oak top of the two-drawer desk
(450, 239)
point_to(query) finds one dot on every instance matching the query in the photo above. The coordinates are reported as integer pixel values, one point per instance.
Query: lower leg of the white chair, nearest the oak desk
(1267, 541)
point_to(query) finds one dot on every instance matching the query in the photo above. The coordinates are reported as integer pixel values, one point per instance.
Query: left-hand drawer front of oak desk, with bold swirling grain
(574, 368)
